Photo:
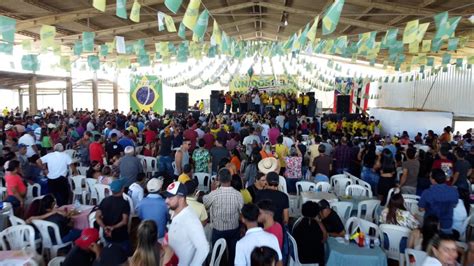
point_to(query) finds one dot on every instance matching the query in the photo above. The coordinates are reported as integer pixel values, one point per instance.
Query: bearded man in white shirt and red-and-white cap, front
(185, 235)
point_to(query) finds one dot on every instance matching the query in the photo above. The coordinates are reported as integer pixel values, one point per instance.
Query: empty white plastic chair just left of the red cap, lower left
(50, 249)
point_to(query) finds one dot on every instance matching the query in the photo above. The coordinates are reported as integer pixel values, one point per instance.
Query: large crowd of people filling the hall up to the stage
(256, 141)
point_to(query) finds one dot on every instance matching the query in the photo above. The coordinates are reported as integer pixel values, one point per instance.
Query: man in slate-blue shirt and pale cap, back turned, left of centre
(130, 166)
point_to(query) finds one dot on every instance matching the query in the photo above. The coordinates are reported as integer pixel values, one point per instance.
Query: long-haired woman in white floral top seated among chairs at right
(397, 214)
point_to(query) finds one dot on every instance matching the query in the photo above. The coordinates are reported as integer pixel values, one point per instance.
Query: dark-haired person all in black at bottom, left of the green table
(310, 235)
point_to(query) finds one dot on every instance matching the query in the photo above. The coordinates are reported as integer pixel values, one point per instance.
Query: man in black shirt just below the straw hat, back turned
(279, 199)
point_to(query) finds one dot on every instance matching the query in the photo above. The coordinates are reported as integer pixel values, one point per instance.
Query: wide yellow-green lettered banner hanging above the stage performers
(266, 82)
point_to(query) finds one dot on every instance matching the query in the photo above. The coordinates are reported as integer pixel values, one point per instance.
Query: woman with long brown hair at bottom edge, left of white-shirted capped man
(148, 249)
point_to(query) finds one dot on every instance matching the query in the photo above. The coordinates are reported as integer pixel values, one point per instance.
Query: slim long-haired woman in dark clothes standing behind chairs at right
(387, 175)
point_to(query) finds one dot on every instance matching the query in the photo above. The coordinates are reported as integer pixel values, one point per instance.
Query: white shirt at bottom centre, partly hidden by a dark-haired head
(254, 237)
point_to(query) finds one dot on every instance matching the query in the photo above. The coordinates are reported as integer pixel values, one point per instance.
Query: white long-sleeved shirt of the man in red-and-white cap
(186, 237)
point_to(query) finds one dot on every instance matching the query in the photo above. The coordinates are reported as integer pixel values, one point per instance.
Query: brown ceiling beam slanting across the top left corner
(74, 15)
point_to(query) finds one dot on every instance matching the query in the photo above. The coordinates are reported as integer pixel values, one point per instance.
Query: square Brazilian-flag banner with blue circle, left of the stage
(146, 93)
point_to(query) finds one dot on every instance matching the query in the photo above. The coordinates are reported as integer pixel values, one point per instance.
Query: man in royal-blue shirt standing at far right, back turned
(439, 200)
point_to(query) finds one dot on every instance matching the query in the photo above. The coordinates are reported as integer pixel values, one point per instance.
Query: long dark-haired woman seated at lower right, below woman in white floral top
(421, 237)
